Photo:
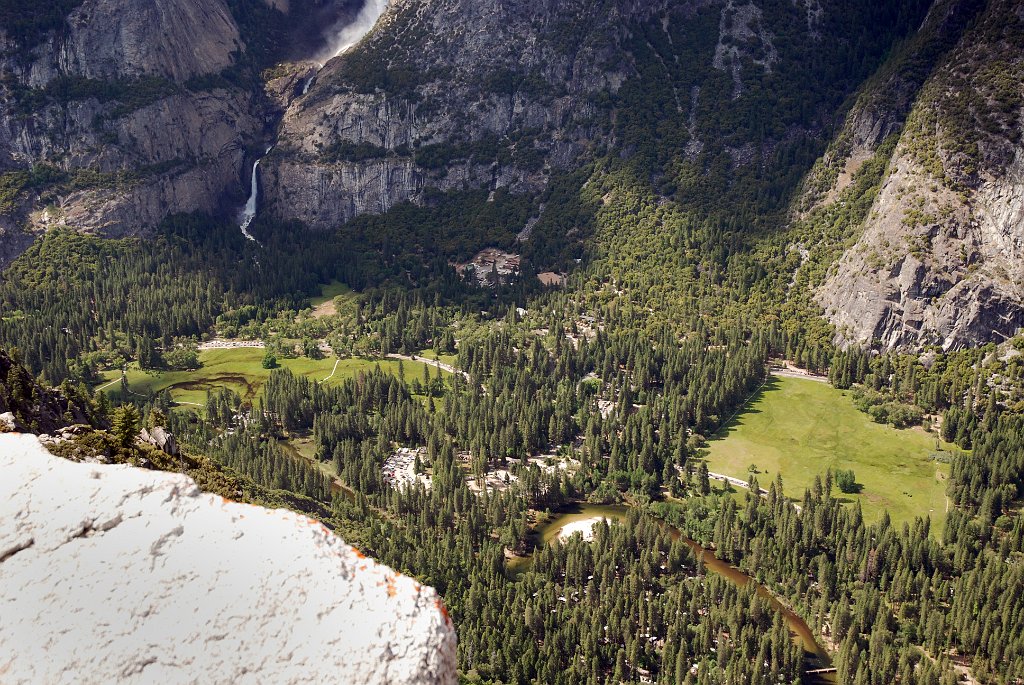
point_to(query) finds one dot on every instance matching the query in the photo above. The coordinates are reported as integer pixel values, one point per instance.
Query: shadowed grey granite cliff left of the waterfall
(122, 112)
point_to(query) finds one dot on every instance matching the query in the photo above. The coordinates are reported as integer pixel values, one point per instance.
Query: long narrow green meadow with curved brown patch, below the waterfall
(242, 371)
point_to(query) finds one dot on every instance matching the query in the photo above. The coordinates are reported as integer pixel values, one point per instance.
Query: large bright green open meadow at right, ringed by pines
(800, 429)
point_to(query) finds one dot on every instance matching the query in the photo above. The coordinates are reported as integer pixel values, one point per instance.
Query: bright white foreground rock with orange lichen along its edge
(111, 574)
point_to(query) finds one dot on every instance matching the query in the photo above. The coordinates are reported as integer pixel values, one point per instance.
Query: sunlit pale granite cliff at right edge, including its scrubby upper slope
(941, 259)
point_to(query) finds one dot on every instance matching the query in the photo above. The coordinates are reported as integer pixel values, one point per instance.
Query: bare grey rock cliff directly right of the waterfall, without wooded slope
(437, 92)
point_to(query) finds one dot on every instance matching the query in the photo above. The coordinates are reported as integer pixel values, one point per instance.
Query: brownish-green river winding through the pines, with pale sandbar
(577, 518)
